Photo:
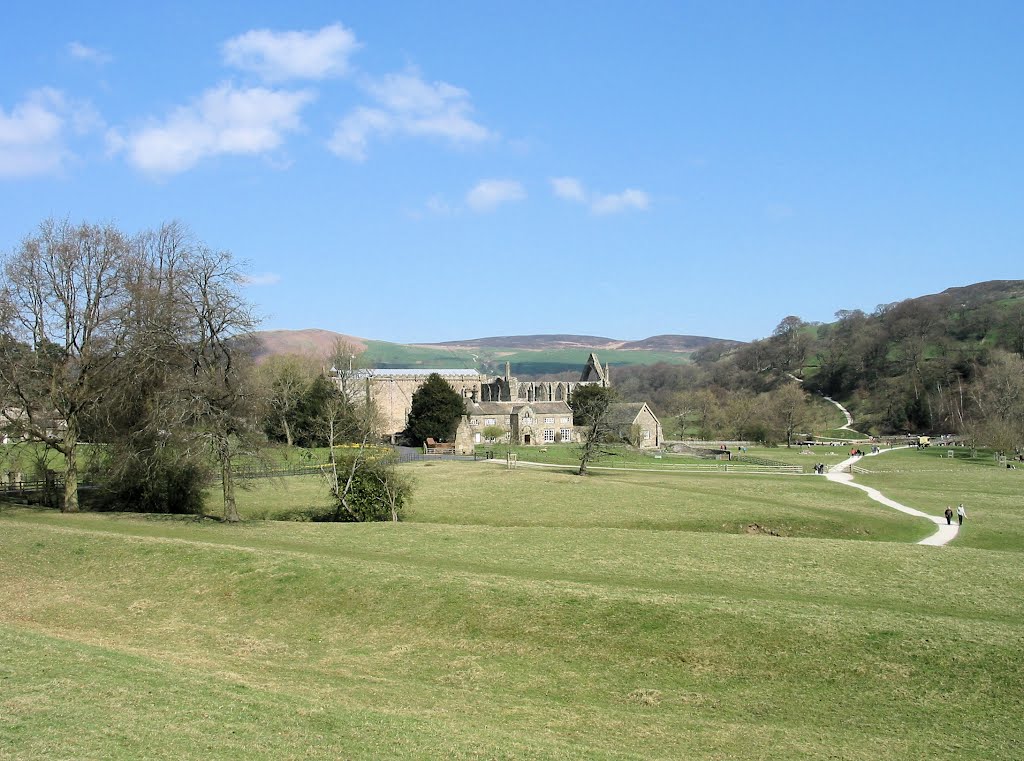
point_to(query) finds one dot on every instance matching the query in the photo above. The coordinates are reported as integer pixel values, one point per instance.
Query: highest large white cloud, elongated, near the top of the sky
(283, 56)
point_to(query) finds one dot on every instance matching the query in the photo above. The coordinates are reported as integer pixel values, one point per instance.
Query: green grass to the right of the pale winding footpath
(929, 481)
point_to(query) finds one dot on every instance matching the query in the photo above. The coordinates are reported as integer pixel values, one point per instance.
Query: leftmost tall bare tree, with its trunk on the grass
(65, 325)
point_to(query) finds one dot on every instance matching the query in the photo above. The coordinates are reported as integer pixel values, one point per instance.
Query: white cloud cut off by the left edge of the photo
(33, 136)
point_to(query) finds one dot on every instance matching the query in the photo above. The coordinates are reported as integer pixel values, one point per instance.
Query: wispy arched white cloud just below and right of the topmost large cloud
(408, 106)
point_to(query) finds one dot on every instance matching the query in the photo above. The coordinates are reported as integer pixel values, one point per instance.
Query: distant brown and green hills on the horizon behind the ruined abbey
(533, 356)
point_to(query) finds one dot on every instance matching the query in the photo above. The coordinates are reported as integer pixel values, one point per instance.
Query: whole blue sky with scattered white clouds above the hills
(434, 172)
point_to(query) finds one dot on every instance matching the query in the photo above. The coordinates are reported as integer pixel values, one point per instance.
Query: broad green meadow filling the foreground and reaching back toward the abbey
(526, 614)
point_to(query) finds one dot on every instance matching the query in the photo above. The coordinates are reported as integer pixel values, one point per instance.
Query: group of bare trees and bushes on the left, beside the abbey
(142, 347)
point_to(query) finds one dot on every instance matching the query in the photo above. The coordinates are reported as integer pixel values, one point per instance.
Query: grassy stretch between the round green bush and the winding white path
(457, 493)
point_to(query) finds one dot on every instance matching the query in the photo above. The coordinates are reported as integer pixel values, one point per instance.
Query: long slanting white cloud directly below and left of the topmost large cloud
(223, 120)
